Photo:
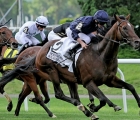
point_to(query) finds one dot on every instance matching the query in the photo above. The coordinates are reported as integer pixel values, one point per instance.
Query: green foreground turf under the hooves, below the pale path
(66, 111)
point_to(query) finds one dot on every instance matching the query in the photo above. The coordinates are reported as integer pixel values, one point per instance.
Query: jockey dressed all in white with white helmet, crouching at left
(26, 33)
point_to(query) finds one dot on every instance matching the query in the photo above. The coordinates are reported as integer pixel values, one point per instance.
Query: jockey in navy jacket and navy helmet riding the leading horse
(81, 27)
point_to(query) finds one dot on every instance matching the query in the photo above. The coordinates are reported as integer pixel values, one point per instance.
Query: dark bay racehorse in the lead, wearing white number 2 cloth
(103, 57)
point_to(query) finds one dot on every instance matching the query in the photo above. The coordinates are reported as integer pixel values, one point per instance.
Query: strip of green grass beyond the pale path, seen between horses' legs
(131, 73)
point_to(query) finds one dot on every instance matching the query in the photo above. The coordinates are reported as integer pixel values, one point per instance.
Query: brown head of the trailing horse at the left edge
(6, 38)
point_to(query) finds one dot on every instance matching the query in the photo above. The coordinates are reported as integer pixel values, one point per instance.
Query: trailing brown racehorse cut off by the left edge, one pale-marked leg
(6, 41)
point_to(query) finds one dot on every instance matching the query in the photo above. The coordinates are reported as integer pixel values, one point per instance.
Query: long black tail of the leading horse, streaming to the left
(18, 70)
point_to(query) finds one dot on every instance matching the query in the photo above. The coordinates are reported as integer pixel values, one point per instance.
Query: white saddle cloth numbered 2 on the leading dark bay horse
(57, 51)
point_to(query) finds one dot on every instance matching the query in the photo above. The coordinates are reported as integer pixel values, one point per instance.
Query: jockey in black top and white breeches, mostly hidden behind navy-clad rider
(58, 32)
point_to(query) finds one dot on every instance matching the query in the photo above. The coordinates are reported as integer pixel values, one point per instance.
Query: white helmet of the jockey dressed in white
(42, 21)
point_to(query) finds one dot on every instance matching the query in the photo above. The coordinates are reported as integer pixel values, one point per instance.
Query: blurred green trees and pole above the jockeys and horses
(60, 11)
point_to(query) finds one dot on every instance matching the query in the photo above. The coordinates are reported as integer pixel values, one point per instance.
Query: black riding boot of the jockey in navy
(70, 53)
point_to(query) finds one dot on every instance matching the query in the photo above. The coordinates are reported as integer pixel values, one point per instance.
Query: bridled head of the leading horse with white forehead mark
(126, 32)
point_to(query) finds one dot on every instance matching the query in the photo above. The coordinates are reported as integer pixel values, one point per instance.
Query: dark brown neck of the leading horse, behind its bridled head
(107, 48)
